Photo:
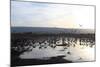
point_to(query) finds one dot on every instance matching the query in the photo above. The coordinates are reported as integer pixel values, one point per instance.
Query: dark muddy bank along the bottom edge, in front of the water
(26, 62)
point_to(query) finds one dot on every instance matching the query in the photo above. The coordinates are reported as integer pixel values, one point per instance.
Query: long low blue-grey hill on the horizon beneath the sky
(50, 30)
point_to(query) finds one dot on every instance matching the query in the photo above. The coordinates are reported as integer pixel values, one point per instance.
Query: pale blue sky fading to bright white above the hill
(32, 14)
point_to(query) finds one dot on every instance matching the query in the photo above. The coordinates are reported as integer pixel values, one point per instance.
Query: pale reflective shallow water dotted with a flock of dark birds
(73, 49)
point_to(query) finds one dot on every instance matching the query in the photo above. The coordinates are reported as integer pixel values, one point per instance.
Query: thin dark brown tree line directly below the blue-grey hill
(31, 34)
